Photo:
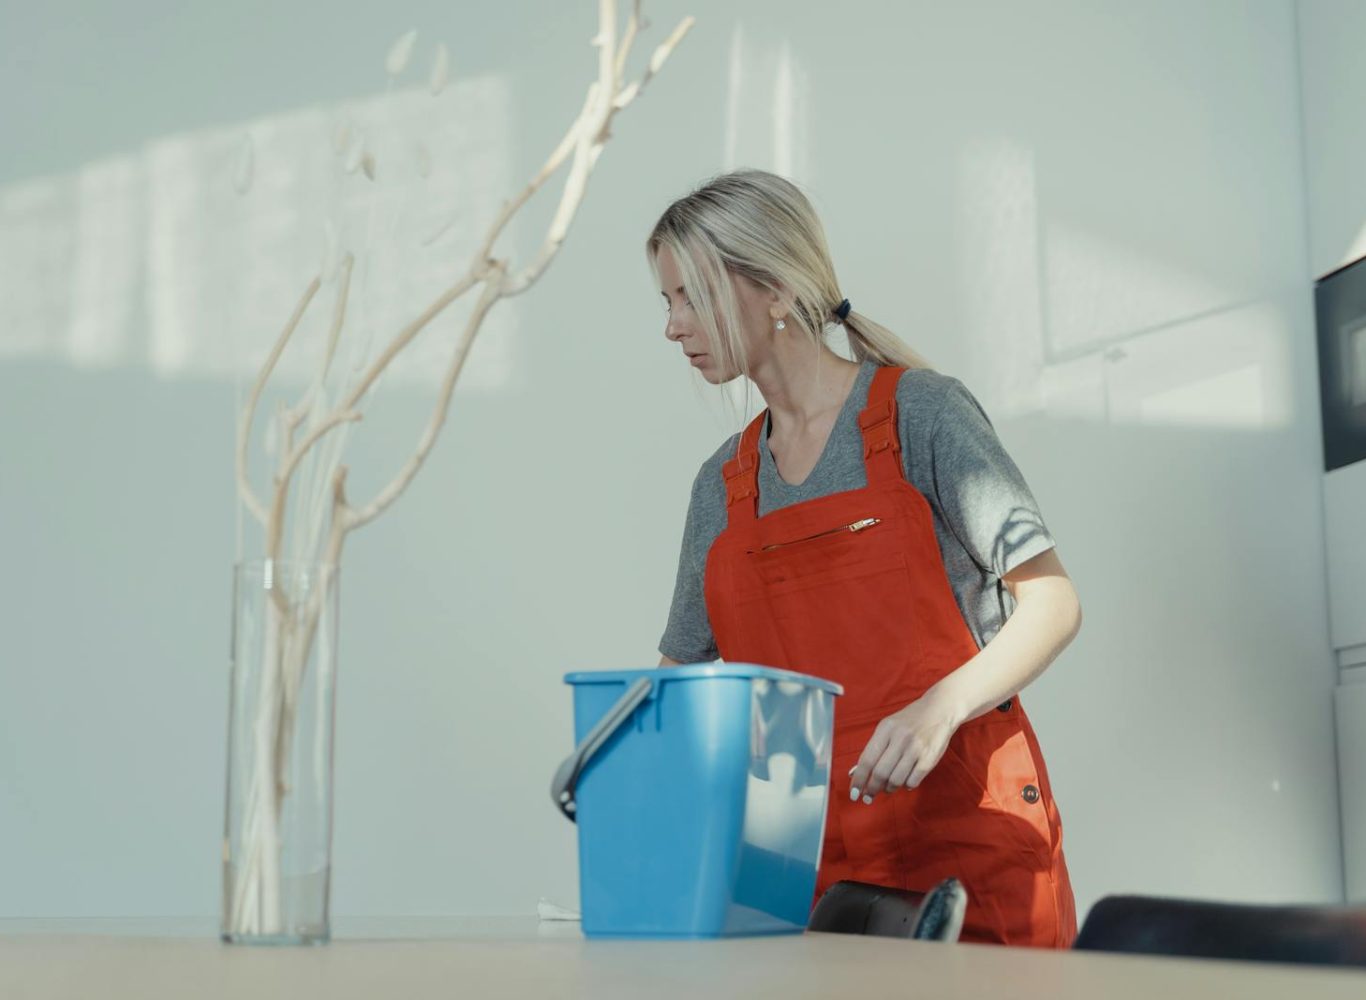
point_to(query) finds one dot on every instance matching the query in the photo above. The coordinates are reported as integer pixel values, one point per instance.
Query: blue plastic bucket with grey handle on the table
(700, 794)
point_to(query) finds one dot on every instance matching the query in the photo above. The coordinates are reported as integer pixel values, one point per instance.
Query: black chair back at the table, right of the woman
(1309, 935)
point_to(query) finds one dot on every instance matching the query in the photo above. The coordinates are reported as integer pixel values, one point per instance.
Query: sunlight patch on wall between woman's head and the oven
(1065, 322)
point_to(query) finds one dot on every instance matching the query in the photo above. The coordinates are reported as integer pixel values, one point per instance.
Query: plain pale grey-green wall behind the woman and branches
(1093, 214)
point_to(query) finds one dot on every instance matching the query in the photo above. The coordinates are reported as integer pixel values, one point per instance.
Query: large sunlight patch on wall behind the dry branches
(154, 259)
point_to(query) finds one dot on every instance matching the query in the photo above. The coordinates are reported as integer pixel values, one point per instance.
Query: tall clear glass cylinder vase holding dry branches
(278, 815)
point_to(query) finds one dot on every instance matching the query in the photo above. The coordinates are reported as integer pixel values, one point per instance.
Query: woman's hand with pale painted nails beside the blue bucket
(905, 748)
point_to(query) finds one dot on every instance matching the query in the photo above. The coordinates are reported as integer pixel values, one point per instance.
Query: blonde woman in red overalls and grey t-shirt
(868, 528)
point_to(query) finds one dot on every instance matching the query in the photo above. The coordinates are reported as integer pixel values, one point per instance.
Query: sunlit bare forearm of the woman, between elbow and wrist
(1043, 625)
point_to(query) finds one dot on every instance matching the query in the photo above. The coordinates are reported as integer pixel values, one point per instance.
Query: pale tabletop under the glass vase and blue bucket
(518, 957)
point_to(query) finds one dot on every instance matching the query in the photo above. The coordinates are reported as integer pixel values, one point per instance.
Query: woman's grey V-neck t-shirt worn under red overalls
(986, 517)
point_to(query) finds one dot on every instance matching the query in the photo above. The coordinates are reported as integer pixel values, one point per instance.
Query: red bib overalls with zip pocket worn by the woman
(852, 588)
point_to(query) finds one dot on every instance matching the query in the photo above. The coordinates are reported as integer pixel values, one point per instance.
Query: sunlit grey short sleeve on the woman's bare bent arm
(981, 494)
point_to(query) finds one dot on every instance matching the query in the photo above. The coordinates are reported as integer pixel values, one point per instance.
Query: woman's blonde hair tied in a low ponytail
(762, 226)
